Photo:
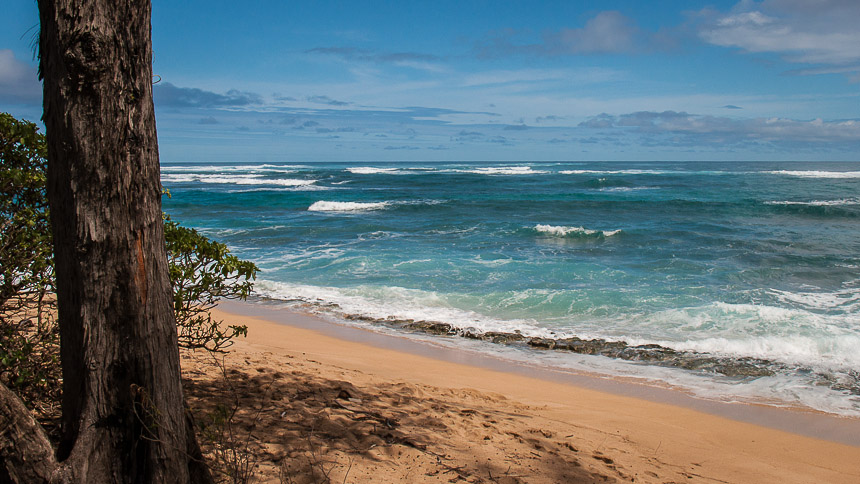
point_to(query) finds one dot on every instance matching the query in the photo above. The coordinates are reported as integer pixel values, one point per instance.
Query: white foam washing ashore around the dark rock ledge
(823, 355)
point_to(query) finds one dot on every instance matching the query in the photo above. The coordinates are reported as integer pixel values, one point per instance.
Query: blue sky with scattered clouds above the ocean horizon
(489, 80)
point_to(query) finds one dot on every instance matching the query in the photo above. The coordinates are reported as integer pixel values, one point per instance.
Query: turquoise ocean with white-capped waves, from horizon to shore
(735, 261)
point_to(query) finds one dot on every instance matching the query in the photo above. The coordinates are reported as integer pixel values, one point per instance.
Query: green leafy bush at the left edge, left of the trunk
(29, 339)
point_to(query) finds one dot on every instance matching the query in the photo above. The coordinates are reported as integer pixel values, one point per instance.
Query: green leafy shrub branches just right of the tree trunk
(203, 271)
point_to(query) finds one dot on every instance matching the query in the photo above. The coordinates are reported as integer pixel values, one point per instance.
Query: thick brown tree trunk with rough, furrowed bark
(123, 407)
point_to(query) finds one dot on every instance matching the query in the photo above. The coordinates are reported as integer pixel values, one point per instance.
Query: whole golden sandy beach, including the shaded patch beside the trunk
(313, 406)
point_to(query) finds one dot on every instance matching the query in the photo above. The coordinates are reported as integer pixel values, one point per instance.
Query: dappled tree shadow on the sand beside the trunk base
(292, 426)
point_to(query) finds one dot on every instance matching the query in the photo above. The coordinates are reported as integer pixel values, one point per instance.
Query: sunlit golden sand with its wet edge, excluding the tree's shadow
(606, 428)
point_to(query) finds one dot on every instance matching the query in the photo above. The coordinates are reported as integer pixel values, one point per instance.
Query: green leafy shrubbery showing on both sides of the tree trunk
(202, 271)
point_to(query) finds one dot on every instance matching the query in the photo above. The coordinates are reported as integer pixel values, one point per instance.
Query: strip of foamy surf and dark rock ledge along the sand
(753, 377)
